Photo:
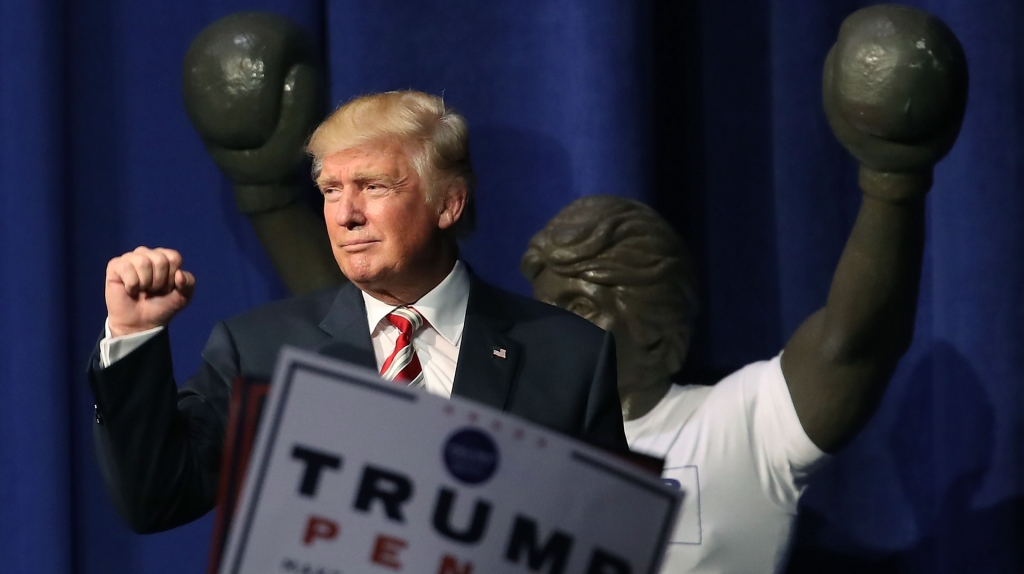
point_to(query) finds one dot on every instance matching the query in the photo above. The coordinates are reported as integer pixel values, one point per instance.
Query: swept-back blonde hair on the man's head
(440, 134)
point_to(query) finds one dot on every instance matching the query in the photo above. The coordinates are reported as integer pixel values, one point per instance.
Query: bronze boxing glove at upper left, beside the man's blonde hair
(253, 95)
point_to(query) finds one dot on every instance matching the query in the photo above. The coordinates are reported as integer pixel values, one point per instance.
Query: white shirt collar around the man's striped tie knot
(444, 307)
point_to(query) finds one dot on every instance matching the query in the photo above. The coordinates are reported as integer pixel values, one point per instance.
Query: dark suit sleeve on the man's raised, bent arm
(159, 449)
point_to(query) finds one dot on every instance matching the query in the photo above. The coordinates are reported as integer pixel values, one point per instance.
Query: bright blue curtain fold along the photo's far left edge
(36, 528)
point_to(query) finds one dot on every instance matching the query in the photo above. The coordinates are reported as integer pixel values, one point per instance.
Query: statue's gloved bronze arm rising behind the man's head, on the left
(253, 93)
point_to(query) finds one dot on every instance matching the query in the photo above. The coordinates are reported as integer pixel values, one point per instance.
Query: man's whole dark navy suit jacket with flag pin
(160, 448)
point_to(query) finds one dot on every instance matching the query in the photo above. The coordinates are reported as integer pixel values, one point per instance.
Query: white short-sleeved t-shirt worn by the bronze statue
(741, 455)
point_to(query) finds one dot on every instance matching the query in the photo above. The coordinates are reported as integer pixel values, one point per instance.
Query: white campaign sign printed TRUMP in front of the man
(356, 475)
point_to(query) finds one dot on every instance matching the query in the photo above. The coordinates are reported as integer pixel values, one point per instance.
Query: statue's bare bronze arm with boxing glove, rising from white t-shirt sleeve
(895, 92)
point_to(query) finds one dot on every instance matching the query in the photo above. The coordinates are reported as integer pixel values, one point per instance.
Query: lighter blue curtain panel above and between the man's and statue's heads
(558, 96)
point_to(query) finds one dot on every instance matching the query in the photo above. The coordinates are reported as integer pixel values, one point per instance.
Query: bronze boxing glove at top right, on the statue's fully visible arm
(895, 89)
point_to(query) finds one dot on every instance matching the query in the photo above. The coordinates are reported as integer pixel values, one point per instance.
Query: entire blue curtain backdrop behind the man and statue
(709, 111)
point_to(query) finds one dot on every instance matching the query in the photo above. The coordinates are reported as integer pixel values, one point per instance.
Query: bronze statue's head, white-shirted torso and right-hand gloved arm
(895, 93)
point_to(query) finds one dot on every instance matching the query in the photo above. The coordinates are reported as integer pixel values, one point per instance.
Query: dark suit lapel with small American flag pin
(488, 358)
